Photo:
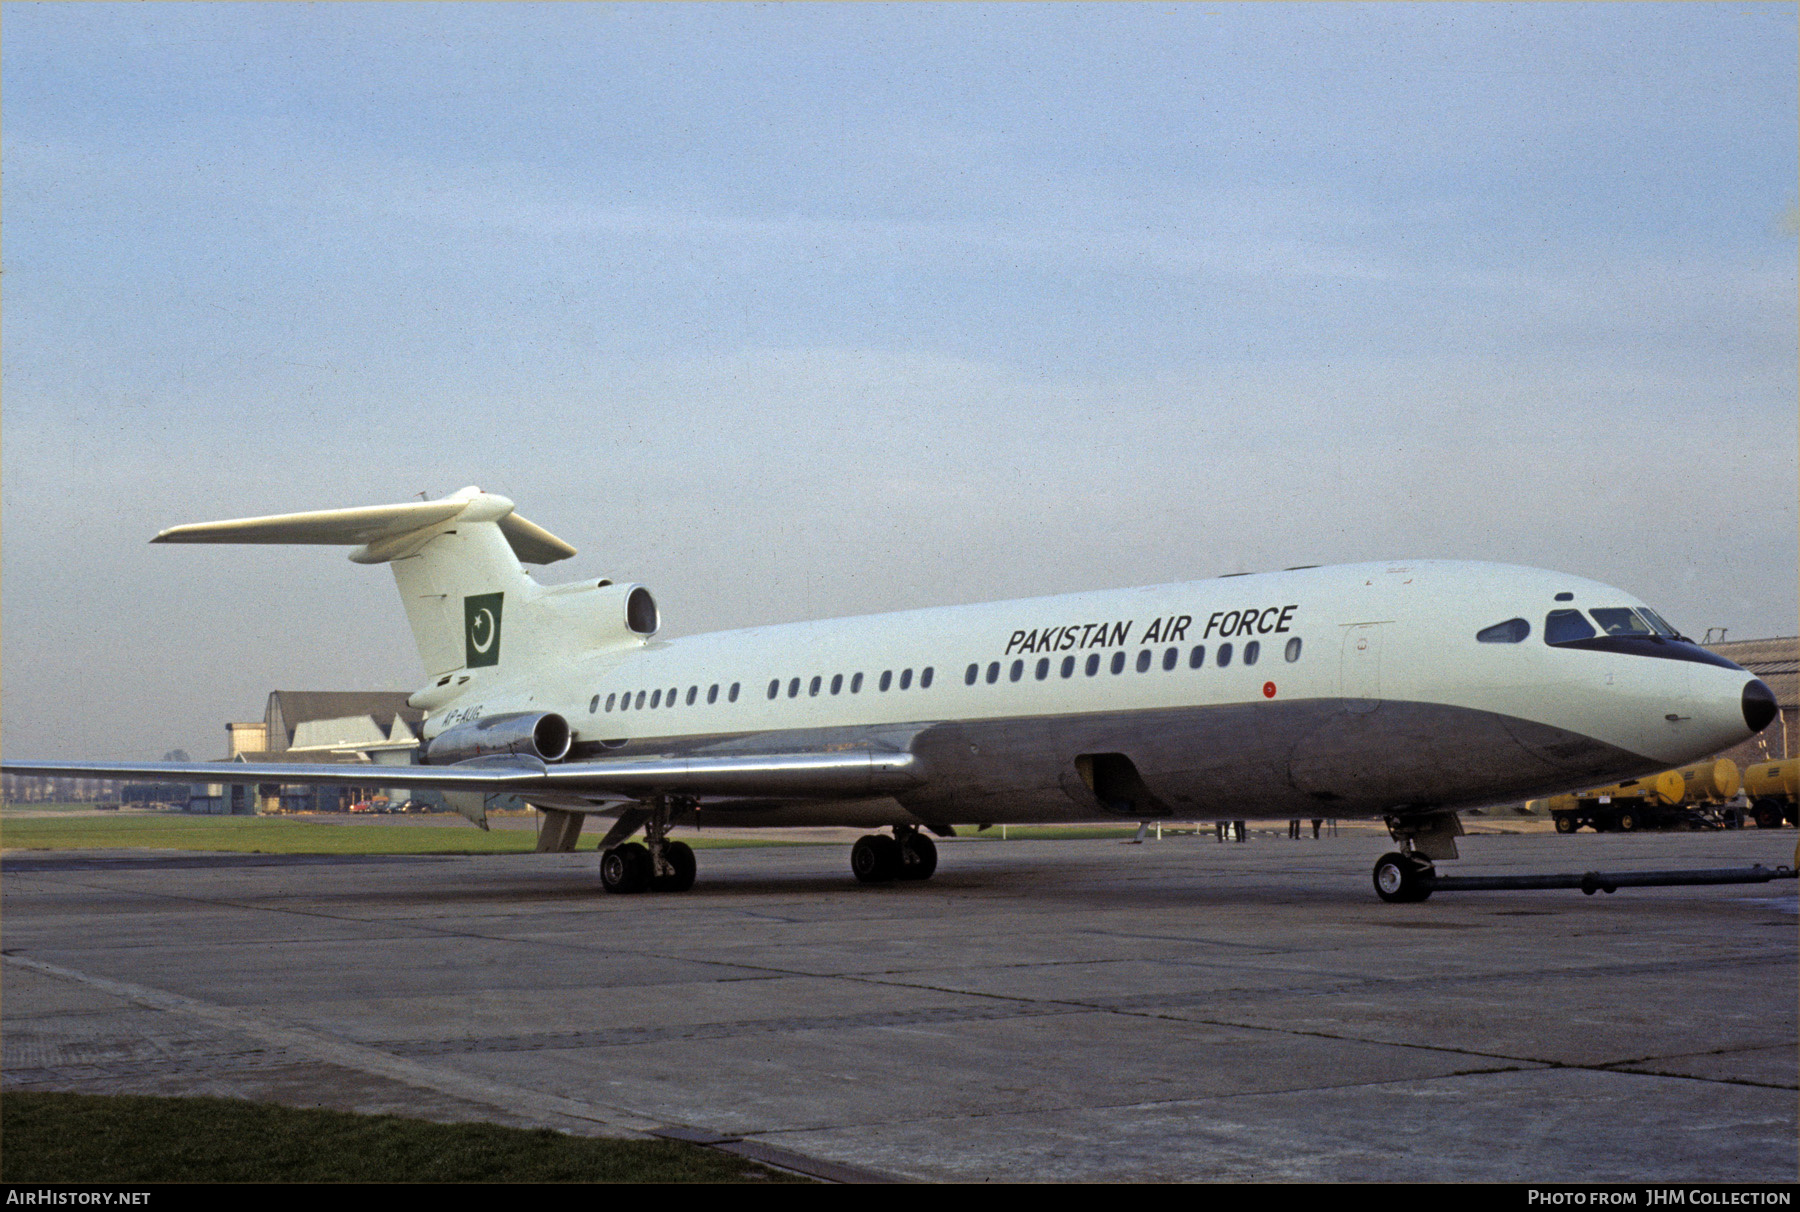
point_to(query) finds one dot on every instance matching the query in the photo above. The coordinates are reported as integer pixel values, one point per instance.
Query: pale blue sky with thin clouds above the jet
(805, 311)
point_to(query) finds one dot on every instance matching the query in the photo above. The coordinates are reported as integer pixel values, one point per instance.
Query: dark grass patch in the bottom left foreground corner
(132, 1139)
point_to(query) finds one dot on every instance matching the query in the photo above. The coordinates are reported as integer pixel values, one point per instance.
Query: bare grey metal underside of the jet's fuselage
(1320, 757)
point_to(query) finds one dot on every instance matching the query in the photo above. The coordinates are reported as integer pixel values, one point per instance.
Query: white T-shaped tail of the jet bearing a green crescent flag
(454, 559)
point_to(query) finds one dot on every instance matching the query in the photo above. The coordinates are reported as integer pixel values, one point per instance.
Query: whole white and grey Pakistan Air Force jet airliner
(1401, 691)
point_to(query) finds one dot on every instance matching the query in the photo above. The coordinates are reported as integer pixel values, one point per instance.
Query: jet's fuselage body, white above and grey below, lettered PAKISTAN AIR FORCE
(1347, 691)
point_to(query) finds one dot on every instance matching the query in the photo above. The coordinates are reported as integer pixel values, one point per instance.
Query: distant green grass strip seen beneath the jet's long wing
(273, 835)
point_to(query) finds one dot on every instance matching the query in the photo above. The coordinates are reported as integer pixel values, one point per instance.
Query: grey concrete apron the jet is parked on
(1038, 1011)
